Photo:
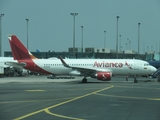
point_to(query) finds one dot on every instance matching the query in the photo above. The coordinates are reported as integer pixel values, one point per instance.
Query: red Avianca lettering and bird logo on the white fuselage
(109, 64)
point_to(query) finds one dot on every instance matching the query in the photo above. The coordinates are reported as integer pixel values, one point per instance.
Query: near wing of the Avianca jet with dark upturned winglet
(85, 70)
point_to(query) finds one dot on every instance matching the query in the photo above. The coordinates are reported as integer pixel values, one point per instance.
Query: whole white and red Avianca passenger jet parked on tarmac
(102, 69)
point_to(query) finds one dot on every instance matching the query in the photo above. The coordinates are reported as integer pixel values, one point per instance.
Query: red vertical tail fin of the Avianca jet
(19, 51)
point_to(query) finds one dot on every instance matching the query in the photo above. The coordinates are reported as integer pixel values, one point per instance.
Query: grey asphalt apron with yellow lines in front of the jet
(39, 98)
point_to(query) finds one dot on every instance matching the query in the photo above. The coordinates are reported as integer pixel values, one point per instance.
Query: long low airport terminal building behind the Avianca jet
(96, 53)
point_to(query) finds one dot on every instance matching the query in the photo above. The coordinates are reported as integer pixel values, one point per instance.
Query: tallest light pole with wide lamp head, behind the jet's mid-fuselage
(74, 14)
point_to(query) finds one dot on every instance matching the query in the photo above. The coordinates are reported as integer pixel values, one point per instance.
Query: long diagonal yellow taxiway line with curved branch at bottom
(62, 103)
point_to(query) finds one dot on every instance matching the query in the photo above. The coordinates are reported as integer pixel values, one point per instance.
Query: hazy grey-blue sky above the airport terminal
(50, 24)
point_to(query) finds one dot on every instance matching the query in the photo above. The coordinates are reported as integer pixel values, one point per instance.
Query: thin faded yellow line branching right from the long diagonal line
(129, 97)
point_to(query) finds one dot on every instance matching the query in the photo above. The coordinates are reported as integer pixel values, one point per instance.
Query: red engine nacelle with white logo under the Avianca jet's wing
(104, 76)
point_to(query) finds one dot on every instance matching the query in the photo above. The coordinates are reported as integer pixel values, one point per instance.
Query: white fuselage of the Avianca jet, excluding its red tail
(115, 66)
